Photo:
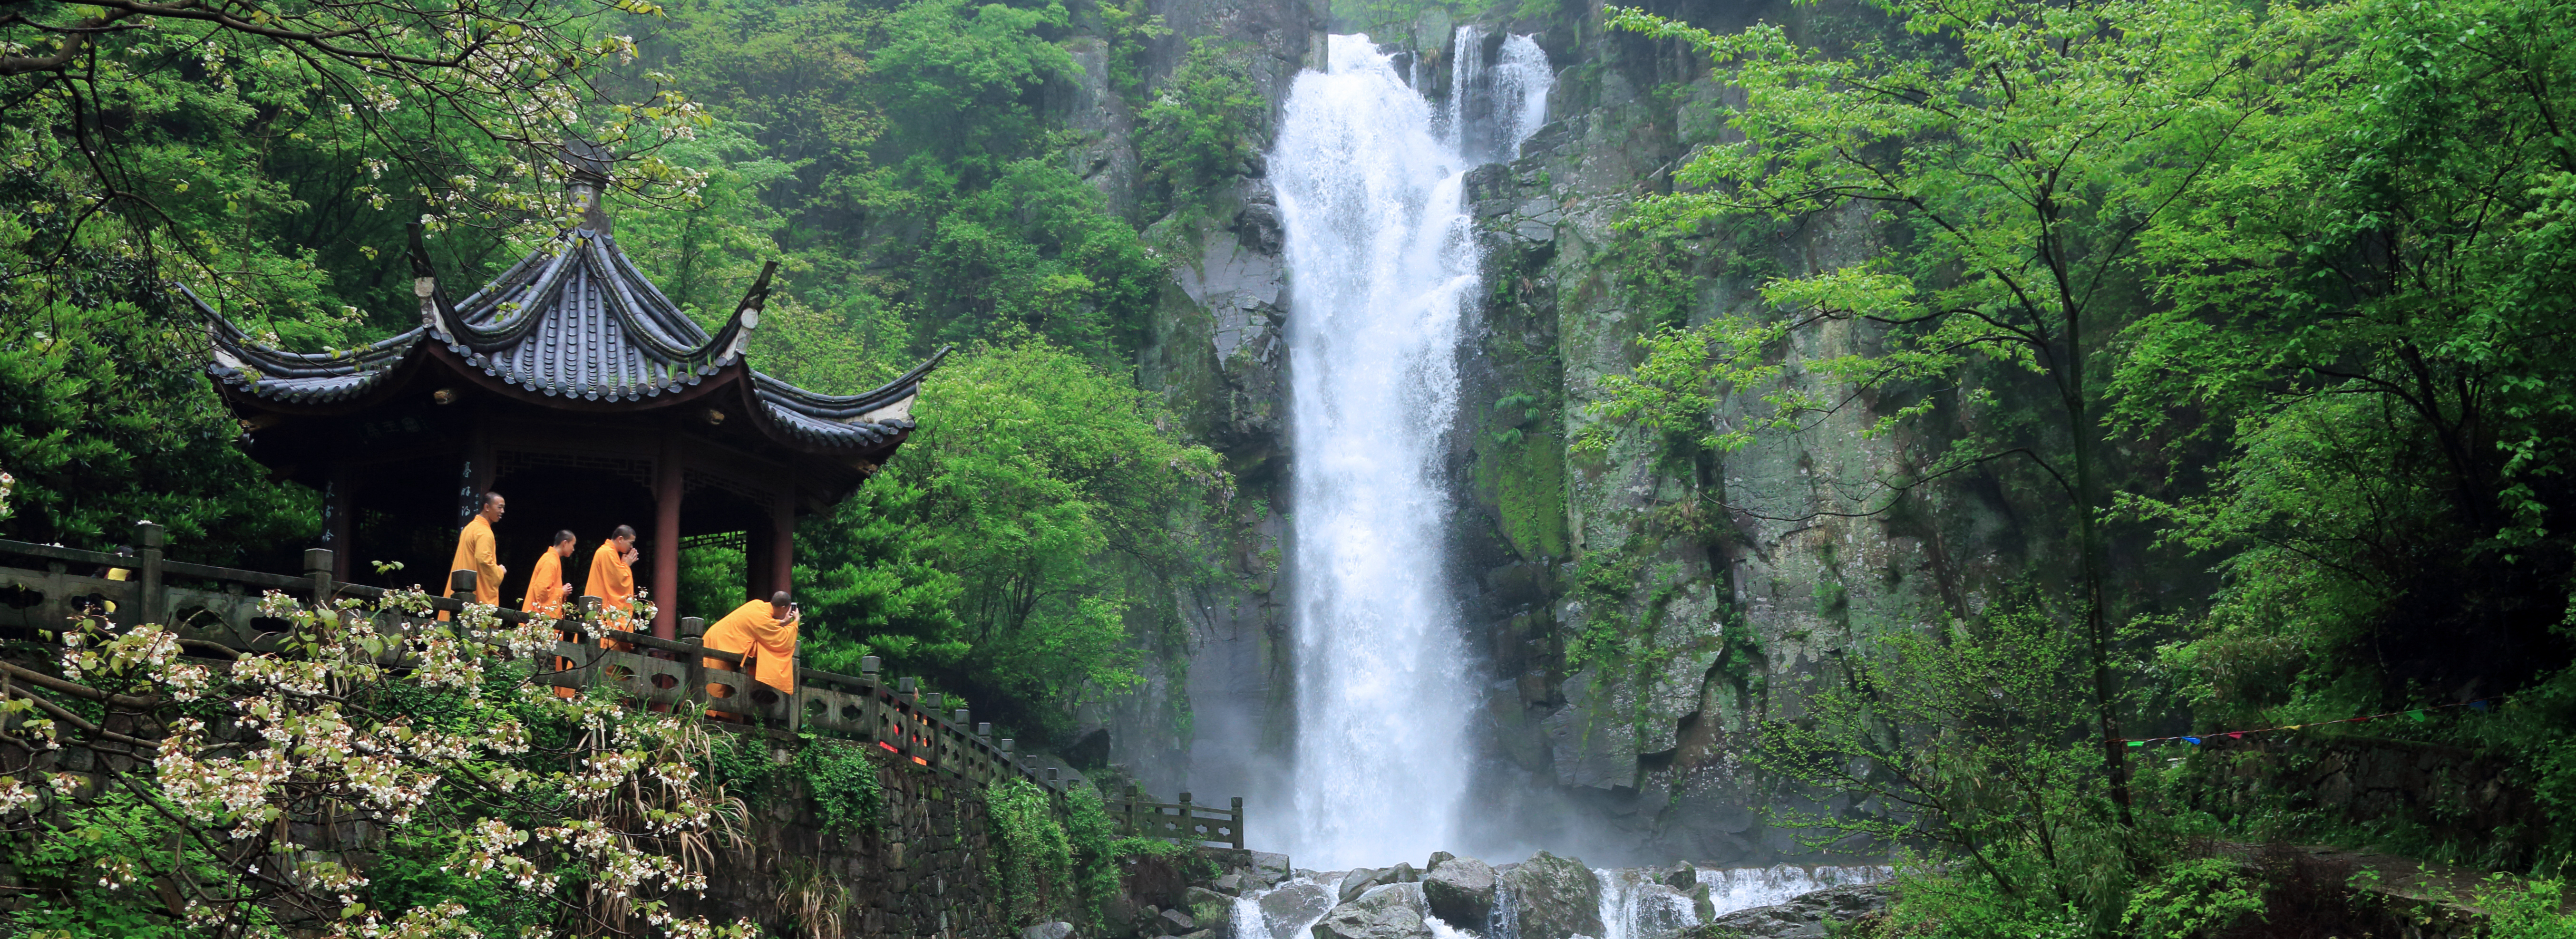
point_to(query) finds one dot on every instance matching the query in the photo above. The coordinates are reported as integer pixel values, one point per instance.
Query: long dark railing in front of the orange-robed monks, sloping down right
(210, 606)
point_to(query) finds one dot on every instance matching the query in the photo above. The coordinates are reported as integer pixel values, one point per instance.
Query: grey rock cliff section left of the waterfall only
(1215, 354)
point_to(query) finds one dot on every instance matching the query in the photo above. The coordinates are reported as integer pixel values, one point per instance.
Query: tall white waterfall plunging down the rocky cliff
(1382, 264)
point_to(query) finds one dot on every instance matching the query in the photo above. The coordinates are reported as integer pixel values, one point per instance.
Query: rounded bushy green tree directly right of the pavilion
(1029, 536)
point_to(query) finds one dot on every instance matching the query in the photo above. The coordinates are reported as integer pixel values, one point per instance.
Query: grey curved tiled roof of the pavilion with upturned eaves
(578, 323)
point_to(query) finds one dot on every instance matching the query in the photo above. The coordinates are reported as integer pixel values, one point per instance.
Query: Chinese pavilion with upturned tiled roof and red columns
(586, 397)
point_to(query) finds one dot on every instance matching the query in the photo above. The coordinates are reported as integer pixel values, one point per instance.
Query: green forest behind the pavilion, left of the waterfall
(893, 156)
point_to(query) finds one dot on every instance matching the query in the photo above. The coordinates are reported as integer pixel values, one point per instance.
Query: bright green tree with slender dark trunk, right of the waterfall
(2013, 163)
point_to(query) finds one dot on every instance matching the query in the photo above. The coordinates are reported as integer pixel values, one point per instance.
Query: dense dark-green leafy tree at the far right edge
(2369, 310)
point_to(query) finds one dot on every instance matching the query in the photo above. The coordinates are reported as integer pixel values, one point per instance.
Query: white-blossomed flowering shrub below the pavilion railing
(357, 781)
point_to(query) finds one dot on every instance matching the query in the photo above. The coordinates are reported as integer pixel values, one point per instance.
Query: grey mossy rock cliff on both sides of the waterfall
(1637, 608)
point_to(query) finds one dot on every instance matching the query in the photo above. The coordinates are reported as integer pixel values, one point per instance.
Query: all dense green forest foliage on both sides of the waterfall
(2250, 315)
